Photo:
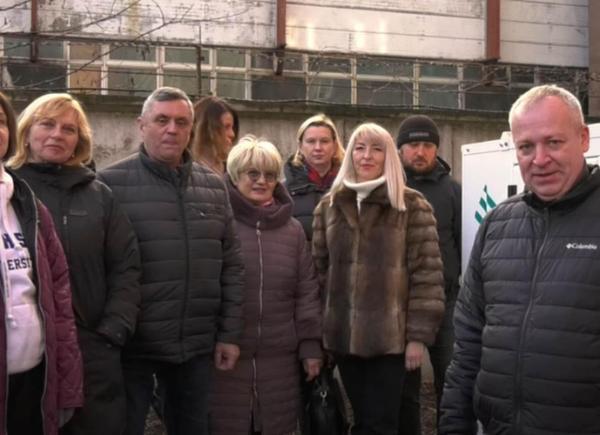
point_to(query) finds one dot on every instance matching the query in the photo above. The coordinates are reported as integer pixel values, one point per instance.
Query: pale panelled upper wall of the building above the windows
(545, 32)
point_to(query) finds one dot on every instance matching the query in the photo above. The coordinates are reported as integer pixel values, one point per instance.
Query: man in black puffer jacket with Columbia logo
(527, 320)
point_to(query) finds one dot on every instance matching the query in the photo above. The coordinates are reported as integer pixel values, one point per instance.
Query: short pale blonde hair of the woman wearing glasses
(251, 152)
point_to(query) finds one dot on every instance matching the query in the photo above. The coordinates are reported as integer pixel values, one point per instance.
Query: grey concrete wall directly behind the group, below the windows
(116, 135)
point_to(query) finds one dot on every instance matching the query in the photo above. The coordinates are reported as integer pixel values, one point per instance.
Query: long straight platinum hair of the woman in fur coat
(392, 168)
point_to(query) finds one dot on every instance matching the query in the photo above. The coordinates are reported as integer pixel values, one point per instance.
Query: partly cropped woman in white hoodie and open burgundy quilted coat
(41, 374)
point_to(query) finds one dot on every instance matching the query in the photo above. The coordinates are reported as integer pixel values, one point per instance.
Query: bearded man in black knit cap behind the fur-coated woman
(418, 142)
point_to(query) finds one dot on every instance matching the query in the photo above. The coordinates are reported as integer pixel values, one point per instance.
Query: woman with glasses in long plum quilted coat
(282, 310)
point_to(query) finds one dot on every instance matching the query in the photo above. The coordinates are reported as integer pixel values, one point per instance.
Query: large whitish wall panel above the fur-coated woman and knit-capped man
(412, 28)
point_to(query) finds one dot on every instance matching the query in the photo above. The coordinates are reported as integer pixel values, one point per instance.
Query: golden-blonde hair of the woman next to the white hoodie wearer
(50, 106)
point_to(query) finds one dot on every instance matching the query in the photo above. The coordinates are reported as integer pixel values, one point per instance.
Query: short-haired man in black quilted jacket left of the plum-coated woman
(192, 270)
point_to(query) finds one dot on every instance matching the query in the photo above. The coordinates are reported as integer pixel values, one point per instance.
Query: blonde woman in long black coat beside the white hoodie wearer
(54, 146)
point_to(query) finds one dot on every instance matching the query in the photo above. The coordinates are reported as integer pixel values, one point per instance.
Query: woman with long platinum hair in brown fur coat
(375, 248)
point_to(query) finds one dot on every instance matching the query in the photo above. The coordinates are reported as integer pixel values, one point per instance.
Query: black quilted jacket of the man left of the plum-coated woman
(192, 270)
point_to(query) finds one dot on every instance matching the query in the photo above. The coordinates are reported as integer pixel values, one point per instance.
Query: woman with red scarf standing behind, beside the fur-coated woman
(313, 167)
